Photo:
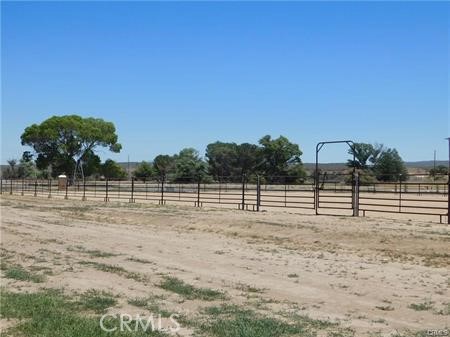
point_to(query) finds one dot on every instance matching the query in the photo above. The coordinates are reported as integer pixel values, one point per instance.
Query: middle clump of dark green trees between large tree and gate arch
(275, 159)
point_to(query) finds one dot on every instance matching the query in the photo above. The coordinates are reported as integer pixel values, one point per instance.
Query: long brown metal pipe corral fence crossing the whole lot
(329, 193)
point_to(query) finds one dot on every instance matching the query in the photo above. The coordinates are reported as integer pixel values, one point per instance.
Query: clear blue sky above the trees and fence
(180, 74)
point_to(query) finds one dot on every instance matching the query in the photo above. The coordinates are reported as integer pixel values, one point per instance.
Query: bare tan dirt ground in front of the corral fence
(370, 274)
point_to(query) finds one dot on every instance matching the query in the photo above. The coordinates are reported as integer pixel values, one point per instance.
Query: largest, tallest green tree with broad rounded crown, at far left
(62, 141)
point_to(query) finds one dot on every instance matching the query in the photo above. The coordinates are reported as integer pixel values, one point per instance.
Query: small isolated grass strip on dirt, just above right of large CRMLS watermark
(189, 291)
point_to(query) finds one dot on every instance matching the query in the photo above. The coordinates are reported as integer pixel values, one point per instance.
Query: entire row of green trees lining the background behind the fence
(67, 144)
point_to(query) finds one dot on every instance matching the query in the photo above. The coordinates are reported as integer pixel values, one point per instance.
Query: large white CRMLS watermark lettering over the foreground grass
(137, 323)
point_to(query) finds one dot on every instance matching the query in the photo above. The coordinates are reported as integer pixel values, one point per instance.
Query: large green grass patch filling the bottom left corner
(51, 314)
